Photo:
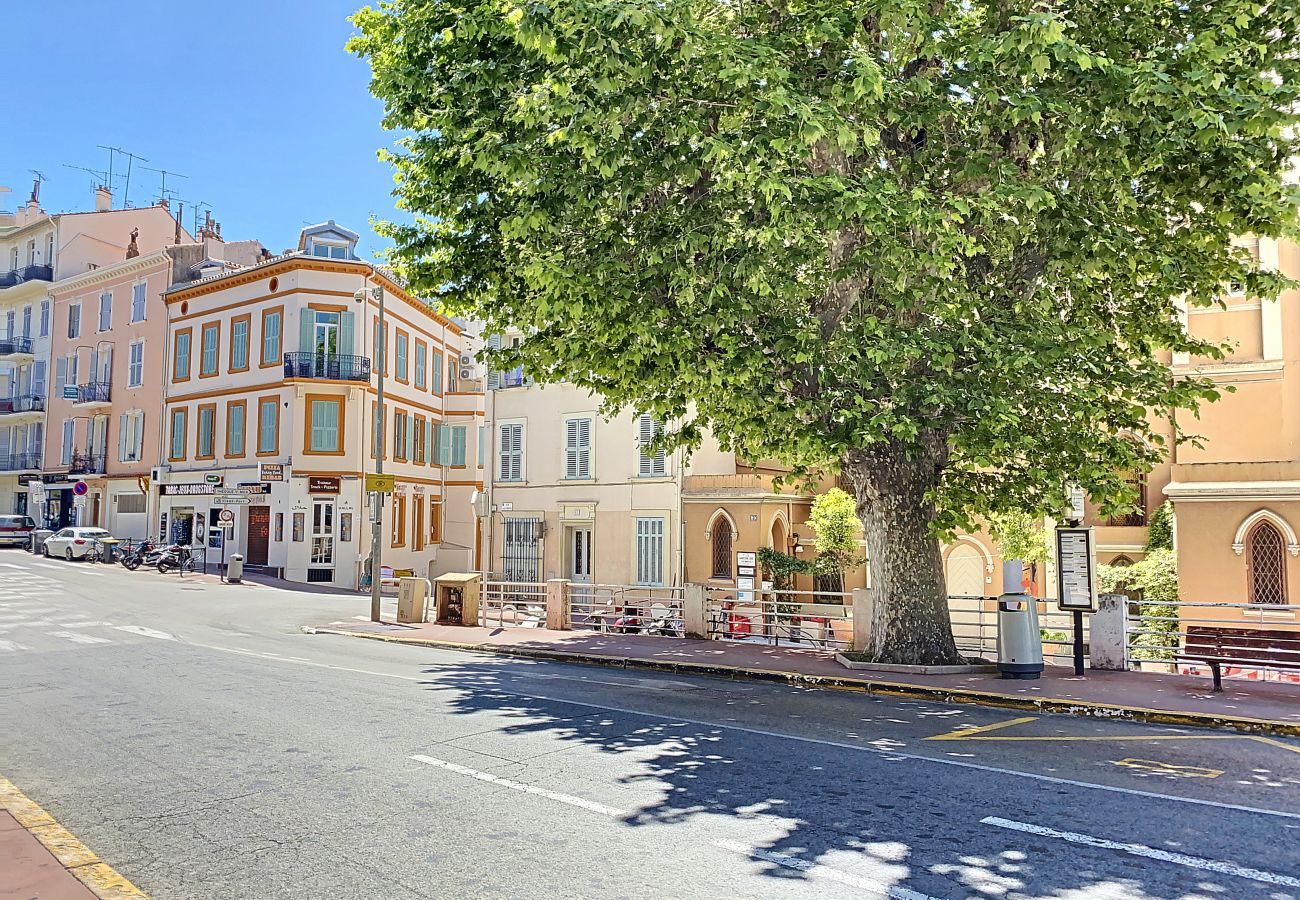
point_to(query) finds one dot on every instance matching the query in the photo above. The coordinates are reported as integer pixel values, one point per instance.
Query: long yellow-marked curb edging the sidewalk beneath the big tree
(1055, 706)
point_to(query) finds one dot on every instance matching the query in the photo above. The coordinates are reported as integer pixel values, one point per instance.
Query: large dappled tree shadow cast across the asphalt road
(813, 811)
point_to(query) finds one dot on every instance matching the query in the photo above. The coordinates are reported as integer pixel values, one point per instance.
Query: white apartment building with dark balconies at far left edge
(42, 250)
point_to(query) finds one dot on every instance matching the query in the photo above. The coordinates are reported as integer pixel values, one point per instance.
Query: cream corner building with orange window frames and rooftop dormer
(271, 387)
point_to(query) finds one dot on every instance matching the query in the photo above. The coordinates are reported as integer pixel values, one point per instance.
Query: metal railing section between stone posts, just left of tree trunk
(782, 618)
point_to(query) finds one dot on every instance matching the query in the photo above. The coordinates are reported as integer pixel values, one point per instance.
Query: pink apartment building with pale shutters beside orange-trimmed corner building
(109, 352)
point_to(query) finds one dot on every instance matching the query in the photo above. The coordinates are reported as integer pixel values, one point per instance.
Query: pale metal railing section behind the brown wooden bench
(1256, 638)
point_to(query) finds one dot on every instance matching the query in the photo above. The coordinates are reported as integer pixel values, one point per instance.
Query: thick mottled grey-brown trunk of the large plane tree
(912, 624)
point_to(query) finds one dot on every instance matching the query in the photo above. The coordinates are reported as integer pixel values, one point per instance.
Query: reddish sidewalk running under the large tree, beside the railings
(1184, 700)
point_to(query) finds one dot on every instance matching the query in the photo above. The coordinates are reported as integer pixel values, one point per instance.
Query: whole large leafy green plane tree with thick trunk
(942, 248)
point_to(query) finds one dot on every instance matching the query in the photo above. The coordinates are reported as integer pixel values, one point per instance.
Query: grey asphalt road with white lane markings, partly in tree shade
(202, 745)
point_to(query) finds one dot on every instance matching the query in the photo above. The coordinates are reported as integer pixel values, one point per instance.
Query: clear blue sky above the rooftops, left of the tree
(255, 101)
